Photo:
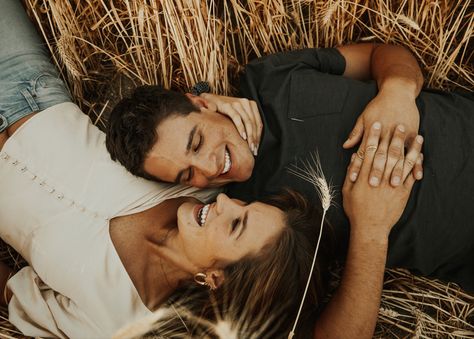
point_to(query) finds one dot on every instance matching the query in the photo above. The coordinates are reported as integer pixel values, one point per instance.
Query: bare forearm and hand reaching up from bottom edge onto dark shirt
(372, 211)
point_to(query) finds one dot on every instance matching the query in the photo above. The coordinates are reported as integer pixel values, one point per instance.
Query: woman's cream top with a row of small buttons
(58, 191)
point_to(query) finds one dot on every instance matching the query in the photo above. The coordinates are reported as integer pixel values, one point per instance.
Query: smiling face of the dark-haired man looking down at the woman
(202, 149)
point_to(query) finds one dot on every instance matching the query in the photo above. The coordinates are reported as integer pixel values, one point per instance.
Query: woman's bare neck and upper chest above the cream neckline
(146, 245)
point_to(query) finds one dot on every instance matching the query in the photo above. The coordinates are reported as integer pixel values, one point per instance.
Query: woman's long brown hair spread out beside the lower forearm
(261, 294)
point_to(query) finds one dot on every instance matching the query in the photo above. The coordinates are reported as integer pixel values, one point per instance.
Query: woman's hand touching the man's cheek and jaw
(243, 112)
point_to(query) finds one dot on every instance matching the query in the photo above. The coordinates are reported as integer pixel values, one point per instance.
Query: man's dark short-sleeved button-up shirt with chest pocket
(308, 106)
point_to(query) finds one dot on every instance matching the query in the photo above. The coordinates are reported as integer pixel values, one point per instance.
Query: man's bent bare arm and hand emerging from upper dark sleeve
(399, 80)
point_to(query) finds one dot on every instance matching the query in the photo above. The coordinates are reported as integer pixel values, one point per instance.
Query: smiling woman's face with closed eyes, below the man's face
(227, 230)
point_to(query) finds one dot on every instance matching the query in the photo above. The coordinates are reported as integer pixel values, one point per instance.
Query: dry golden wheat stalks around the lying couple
(99, 44)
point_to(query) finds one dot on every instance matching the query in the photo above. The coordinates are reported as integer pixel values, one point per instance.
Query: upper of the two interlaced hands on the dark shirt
(391, 108)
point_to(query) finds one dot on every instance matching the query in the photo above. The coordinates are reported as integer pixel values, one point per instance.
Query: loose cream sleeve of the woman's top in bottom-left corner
(38, 311)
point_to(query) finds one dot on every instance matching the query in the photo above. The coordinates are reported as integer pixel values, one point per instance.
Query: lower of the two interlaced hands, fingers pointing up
(374, 210)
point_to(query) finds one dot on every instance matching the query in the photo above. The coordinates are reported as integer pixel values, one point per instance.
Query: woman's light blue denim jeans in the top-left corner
(29, 81)
